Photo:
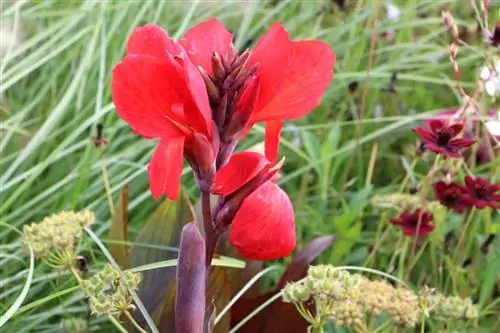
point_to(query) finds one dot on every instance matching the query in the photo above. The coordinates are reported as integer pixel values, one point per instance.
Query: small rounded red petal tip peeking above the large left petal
(152, 40)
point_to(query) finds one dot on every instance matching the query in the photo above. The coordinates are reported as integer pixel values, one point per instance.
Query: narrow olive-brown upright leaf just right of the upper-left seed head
(118, 231)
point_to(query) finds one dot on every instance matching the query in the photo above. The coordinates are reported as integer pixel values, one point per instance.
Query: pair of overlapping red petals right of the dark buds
(309, 70)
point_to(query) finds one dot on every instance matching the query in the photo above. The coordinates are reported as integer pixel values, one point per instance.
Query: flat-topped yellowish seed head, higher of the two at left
(57, 232)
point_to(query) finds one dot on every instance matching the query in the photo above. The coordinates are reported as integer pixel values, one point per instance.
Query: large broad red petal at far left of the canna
(151, 94)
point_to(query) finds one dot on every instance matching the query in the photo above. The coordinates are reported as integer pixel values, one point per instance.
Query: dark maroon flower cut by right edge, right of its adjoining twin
(480, 193)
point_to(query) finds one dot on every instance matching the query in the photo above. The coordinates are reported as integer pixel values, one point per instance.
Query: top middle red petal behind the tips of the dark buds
(202, 40)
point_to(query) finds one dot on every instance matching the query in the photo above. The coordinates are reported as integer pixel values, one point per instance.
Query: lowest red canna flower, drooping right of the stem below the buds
(260, 212)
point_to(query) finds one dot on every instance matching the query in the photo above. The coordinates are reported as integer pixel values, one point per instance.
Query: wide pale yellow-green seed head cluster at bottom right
(349, 299)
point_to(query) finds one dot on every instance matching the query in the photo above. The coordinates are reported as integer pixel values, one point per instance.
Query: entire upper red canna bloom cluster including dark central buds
(198, 92)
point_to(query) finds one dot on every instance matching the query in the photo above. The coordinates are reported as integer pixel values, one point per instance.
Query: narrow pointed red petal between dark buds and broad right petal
(273, 55)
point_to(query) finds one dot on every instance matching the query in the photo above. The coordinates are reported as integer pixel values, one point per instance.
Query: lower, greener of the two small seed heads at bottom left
(108, 293)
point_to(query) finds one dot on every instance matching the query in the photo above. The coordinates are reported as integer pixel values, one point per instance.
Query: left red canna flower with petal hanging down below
(159, 92)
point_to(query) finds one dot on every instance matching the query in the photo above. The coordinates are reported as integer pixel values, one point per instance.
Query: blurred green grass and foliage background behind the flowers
(55, 90)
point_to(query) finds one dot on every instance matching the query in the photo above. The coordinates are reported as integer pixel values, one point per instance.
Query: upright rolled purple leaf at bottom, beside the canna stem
(191, 282)
